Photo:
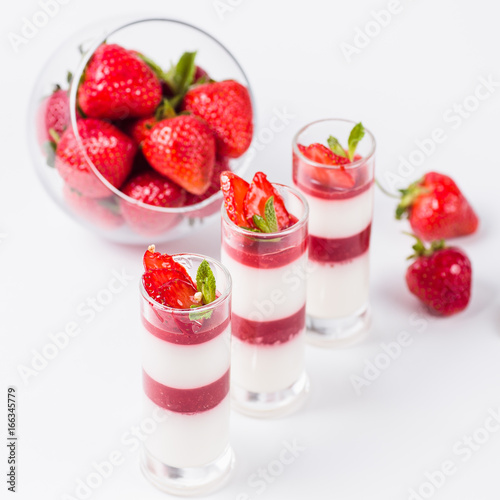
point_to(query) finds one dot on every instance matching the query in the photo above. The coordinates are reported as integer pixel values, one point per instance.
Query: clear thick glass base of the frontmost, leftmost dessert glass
(188, 481)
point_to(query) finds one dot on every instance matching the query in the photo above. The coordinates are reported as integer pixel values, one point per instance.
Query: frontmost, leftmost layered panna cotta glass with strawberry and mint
(186, 318)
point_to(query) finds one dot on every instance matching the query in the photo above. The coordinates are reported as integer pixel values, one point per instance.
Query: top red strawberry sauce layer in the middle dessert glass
(270, 253)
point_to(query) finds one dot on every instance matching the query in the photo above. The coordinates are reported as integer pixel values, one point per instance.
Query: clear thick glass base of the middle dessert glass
(270, 404)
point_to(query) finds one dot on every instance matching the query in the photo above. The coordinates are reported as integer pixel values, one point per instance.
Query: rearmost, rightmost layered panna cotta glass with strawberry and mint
(338, 184)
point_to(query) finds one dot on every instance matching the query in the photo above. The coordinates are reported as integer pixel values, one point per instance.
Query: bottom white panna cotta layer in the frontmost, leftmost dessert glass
(184, 440)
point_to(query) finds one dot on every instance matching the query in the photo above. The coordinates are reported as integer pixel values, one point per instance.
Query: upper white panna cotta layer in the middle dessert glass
(267, 294)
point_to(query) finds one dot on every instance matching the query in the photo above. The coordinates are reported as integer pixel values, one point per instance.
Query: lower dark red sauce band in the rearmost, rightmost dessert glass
(326, 250)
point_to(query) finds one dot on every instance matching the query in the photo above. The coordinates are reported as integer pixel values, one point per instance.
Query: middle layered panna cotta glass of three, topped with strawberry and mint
(264, 246)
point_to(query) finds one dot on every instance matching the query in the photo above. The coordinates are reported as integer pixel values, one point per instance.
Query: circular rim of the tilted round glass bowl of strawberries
(183, 210)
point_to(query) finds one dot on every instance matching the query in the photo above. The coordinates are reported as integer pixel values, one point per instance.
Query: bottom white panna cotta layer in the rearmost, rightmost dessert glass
(339, 289)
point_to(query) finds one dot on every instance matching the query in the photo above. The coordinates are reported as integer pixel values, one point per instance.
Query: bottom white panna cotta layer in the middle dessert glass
(267, 368)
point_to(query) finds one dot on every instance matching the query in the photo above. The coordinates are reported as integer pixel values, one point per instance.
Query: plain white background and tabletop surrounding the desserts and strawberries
(374, 445)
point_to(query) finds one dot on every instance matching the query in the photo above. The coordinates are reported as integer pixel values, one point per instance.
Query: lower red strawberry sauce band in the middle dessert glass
(269, 332)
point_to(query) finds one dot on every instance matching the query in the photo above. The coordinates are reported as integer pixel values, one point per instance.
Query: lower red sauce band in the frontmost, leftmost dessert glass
(186, 400)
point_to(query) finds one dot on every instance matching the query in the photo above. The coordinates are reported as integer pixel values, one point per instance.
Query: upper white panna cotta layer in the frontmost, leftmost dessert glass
(186, 366)
